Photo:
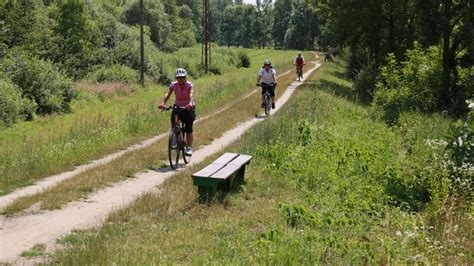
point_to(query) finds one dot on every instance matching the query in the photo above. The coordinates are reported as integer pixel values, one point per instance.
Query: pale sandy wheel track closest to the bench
(22, 233)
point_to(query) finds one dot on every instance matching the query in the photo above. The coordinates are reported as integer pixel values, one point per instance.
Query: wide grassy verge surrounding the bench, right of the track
(326, 185)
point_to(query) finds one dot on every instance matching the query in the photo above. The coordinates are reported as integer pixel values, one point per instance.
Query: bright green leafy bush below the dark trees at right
(412, 85)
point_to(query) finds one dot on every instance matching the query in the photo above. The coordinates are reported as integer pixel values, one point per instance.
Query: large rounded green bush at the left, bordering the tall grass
(39, 81)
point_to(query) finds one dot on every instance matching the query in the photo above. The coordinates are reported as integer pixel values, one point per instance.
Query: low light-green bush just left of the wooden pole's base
(113, 73)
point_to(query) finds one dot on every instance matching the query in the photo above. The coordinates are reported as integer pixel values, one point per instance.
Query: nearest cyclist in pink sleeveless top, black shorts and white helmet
(183, 91)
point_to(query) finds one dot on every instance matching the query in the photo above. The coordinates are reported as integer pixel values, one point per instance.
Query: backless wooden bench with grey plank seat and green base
(217, 175)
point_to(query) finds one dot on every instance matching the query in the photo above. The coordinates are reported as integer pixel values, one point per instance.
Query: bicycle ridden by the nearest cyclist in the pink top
(177, 138)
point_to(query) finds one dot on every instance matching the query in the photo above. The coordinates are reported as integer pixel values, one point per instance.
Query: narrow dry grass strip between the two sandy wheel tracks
(150, 157)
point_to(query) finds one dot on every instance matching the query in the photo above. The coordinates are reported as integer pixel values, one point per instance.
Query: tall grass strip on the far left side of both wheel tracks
(100, 124)
